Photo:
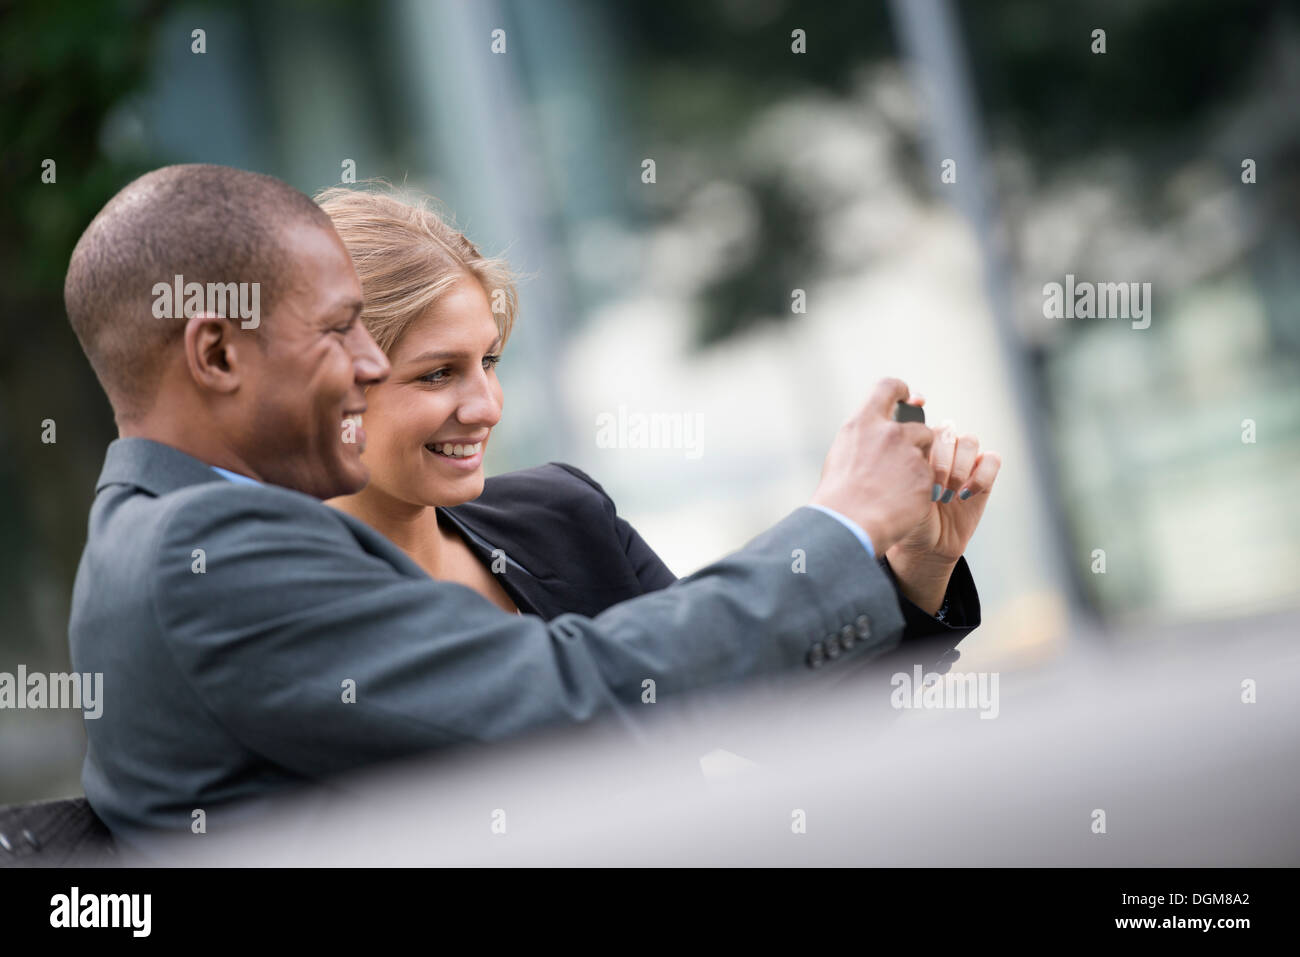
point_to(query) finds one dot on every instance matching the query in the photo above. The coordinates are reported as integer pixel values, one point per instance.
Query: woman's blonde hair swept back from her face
(409, 256)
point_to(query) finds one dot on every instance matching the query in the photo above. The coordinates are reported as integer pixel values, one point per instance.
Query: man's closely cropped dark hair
(206, 224)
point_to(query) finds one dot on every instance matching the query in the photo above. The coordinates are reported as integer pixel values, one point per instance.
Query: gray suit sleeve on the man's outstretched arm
(322, 647)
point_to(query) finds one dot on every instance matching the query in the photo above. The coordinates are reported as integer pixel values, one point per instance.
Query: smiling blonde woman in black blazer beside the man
(543, 540)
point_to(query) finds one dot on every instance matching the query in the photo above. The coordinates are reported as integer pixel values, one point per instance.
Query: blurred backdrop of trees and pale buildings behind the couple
(739, 215)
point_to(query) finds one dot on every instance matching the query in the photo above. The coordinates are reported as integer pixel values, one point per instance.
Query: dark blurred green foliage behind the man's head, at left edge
(63, 67)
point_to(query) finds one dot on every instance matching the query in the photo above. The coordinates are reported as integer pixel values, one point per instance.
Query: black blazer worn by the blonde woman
(566, 549)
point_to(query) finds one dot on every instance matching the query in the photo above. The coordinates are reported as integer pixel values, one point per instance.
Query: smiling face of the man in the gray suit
(306, 380)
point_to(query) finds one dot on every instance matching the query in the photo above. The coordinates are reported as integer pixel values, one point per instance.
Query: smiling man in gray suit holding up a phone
(253, 639)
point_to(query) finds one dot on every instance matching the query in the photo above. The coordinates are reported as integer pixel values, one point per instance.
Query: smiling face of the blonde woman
(443, 393)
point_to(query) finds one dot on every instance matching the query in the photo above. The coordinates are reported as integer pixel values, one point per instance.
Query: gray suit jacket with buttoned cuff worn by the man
(253, 639)
